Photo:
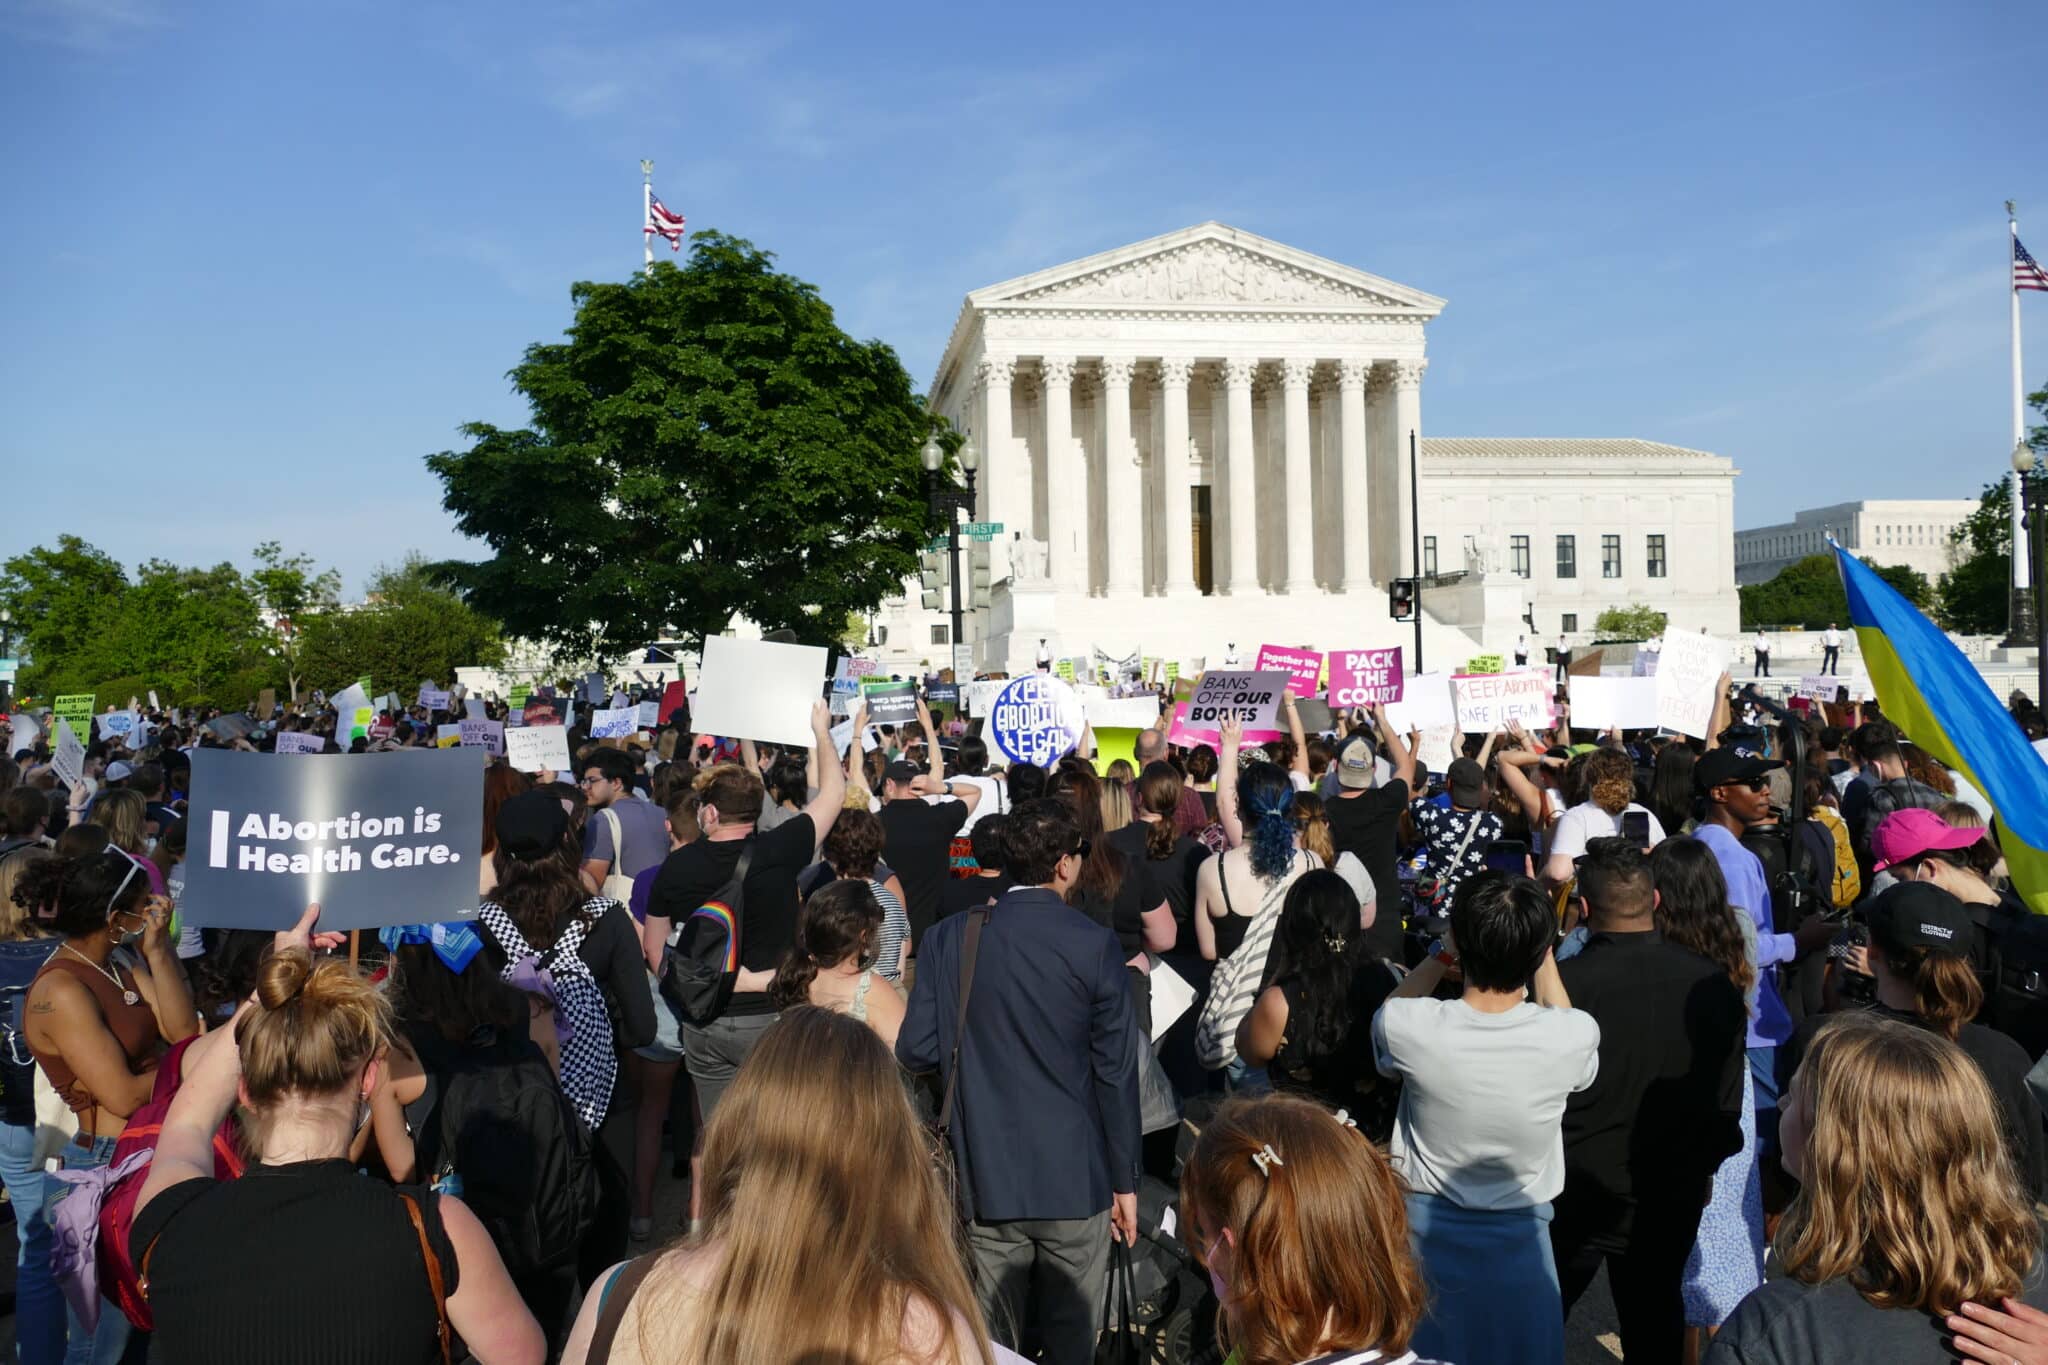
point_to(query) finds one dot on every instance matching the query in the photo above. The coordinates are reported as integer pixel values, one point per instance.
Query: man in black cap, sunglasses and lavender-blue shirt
(1734, 793)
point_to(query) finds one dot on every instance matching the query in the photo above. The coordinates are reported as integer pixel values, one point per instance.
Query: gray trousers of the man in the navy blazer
(1041, 1282)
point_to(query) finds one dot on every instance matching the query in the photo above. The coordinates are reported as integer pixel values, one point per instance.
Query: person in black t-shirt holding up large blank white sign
(693, 875)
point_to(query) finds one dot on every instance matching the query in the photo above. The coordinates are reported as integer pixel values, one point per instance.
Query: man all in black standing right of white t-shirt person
(1644, 1143)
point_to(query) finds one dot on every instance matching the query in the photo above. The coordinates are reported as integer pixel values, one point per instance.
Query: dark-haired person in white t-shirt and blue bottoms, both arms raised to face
(1478, 1137)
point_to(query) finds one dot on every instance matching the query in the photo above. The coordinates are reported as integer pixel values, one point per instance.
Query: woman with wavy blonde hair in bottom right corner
(1908, 1206)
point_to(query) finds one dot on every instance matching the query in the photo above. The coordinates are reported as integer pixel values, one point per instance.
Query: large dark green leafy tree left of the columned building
(706, 445)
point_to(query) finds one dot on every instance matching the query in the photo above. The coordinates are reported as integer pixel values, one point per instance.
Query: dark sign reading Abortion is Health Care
(374, 838)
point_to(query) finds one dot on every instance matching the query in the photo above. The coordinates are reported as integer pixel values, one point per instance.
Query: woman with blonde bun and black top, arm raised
(228, 1264)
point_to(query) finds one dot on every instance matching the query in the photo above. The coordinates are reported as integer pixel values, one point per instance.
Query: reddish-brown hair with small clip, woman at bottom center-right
(1304, 1229)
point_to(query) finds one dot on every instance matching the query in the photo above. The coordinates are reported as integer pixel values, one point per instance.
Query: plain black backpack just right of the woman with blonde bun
(521, 1157)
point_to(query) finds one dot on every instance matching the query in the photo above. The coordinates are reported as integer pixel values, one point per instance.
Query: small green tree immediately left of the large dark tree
(411, 629)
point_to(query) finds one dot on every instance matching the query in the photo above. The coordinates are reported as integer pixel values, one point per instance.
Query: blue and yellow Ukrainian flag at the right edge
(1943, 705)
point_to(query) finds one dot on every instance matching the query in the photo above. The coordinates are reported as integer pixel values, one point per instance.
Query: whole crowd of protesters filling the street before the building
(1359, 1061)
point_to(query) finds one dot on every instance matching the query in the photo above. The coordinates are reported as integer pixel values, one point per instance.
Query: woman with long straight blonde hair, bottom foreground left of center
(816, 1120)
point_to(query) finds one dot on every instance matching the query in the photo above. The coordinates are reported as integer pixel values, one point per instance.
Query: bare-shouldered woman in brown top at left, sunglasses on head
(101, 1024)
